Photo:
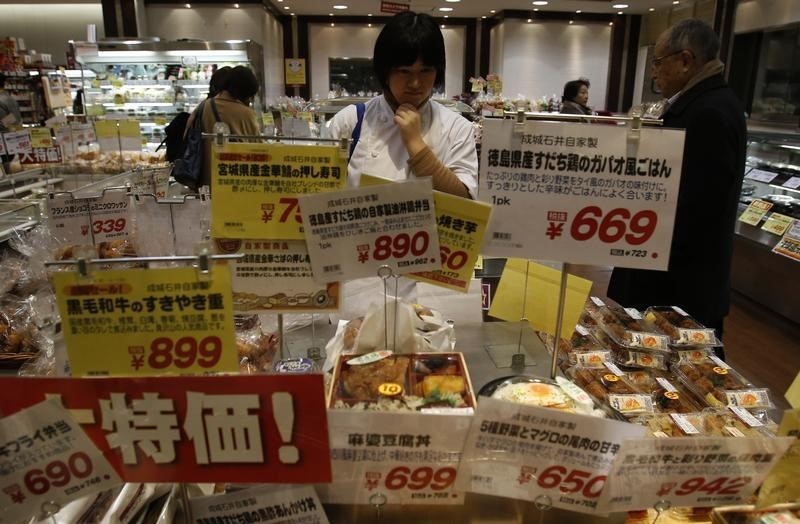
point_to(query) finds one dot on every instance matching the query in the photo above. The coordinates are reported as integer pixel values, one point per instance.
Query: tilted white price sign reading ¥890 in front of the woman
(353, 233)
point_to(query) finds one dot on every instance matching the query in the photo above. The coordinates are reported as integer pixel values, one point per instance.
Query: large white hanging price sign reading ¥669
(575, 192)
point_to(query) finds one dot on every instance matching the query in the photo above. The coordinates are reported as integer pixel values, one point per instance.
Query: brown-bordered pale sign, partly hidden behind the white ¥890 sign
(276, 276)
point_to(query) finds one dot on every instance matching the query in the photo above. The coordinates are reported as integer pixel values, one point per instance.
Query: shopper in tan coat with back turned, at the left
(232, 105)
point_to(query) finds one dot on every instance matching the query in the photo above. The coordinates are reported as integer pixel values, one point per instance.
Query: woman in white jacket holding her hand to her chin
(403, 133)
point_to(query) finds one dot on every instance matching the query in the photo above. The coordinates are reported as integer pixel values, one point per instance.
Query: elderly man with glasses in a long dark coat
(698, 100)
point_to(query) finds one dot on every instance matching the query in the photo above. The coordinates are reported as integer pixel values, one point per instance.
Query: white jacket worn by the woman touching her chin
(381, 152)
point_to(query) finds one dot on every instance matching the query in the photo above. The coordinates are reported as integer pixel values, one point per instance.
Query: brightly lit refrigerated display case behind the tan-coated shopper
(151, 80)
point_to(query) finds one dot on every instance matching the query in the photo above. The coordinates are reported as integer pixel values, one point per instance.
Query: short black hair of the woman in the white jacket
(409, 36)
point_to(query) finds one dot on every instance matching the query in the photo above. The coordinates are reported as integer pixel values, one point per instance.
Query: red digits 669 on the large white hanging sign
(614, 226)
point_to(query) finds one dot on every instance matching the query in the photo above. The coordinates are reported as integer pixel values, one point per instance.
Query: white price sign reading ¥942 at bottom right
(697, 471)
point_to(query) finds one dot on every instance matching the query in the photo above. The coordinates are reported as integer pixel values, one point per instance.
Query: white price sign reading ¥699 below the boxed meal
(394, 458)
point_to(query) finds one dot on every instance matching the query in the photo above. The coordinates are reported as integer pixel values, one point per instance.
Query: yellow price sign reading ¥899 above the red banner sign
(147, 322)
